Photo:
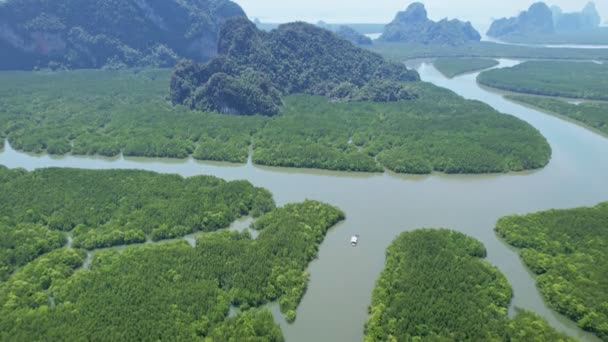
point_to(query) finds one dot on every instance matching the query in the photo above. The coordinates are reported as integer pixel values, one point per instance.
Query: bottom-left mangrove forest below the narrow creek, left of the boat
(170, 291)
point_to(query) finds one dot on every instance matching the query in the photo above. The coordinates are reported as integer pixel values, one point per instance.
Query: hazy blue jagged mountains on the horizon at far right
(539, 19)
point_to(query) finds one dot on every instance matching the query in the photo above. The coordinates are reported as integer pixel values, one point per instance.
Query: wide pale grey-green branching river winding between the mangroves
(380, 206)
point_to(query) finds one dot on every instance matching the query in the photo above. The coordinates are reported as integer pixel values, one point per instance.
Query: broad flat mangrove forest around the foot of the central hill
(105, 112)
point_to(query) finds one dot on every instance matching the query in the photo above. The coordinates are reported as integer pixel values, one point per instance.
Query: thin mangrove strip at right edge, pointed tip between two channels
(591, 114)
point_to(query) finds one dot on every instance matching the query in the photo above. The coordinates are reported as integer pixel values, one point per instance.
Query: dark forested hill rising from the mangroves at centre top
(254, 68)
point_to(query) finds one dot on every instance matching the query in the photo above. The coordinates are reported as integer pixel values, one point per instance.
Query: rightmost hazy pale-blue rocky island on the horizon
(551, 25)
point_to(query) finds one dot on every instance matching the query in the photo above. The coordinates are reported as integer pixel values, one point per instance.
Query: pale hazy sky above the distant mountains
(480, 12)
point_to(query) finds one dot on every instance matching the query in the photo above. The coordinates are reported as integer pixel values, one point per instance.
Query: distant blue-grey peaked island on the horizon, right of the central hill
(414, 26)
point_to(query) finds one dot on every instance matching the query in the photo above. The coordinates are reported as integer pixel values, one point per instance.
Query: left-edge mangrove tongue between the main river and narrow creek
(108, 208)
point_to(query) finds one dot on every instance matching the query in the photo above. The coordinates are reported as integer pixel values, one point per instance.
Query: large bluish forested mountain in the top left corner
(109, 33)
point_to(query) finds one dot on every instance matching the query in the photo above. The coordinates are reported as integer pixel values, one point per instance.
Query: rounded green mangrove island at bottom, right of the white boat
(437, 287)
